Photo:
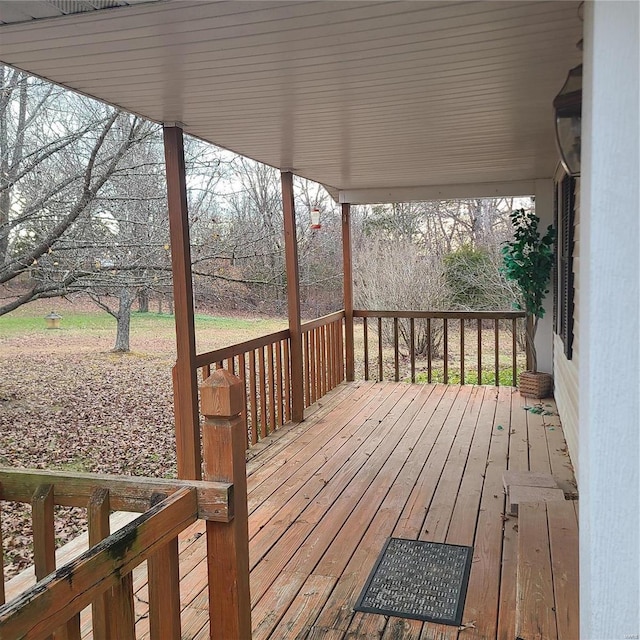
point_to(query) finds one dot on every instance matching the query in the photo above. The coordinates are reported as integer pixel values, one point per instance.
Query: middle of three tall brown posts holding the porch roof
(293, 297)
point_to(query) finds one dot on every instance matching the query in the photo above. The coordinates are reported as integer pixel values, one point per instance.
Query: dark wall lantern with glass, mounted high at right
(568, 112)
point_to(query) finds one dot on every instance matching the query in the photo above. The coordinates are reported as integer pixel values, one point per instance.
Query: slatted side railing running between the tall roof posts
(264, 366)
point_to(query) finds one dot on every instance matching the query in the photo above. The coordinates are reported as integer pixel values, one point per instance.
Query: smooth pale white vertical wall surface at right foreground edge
(608, 332)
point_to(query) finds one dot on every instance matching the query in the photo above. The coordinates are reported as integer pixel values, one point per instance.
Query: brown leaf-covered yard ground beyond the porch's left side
(67, 403)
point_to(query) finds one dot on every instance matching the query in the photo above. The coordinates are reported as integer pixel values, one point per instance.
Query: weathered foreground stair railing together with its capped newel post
(101, 577)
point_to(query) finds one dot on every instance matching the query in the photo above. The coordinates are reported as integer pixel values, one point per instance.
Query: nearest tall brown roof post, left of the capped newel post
(185, 380)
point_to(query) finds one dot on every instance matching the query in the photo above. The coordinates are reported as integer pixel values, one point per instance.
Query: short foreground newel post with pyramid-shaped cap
(222, 398)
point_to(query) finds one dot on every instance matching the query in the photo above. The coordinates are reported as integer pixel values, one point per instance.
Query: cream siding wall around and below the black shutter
(565, 372)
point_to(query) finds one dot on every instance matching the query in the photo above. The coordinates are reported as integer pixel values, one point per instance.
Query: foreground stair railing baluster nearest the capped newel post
(164, 588)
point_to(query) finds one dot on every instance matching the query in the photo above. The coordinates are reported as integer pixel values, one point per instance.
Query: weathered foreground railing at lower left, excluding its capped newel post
(101, 577)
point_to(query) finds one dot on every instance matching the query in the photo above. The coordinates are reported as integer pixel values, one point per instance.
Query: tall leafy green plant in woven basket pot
(528, 260)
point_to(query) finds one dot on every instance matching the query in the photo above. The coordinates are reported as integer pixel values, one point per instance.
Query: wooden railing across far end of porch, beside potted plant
(455, 346)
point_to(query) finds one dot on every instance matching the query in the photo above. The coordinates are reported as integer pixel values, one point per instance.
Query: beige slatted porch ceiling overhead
(355, 95)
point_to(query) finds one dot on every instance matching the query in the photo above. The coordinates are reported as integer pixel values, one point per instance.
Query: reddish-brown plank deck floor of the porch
(374, 460)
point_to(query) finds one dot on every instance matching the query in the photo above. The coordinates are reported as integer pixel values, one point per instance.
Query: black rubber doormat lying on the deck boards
(421, 580)
